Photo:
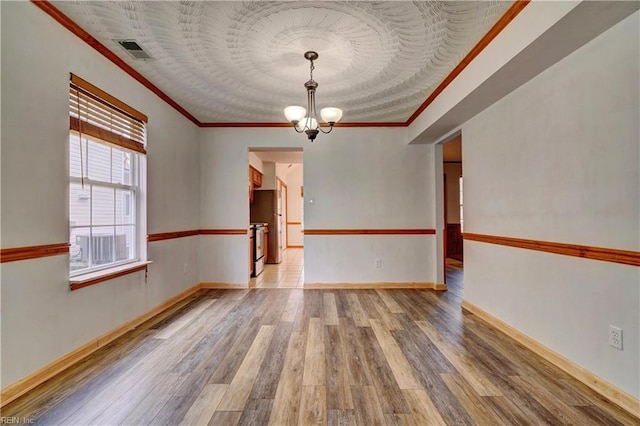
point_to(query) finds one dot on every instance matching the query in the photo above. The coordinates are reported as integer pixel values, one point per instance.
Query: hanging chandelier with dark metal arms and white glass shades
(308, 123)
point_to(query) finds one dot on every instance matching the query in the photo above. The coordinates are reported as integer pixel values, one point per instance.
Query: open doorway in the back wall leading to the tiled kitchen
(282, 175)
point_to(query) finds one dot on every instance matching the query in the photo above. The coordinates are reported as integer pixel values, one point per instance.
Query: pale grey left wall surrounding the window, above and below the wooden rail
(42, 319)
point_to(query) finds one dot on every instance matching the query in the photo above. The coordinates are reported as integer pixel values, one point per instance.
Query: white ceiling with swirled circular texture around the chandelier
(243, 61)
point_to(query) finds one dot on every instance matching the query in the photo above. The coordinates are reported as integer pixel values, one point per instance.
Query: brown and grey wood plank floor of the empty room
(293, 356)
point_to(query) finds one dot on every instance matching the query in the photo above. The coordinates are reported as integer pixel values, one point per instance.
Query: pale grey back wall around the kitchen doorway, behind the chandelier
(357, 178)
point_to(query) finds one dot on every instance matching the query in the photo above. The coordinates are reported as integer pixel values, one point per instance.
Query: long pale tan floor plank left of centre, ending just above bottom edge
(236, 396)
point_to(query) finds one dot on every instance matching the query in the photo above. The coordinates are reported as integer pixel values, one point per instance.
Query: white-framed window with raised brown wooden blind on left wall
(106, 173)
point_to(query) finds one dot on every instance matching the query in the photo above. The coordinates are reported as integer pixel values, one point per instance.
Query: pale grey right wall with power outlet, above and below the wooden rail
(558, 160)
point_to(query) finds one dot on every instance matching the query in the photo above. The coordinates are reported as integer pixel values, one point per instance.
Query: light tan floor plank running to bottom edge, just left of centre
(286, 404)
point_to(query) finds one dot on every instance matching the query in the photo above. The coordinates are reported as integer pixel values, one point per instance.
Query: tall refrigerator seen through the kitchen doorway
(267, 209)
